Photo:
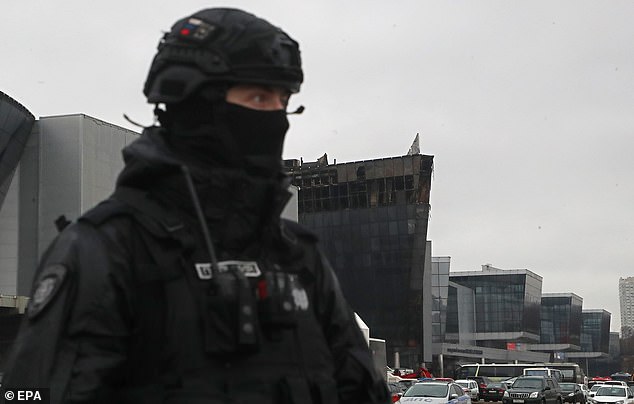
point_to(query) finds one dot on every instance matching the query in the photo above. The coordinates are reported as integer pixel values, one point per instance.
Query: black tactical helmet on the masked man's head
(221, 45)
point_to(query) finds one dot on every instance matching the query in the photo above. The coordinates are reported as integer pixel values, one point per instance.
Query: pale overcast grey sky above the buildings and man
(527, 106)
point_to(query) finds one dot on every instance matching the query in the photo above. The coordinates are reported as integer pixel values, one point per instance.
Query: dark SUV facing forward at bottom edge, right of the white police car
(533, 390)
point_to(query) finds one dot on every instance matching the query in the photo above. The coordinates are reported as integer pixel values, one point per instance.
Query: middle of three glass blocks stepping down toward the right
(561, 319)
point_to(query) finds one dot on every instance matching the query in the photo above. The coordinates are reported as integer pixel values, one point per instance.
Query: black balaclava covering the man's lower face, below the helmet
(215, 132)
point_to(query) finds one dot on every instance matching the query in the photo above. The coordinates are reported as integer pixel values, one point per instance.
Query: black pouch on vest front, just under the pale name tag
(230, 315)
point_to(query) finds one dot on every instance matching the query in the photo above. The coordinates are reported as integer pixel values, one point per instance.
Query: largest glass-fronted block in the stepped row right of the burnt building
(507, 305)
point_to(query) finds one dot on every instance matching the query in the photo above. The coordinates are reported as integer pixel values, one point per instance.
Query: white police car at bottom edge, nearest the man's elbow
(435, 393)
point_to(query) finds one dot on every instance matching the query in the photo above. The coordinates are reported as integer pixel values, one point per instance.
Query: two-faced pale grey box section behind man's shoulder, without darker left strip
(80, 158)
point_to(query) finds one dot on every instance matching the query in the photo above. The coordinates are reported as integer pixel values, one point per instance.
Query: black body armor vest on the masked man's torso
(208, 334)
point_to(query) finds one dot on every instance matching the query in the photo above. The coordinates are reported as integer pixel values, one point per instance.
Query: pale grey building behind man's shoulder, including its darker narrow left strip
(72, 166)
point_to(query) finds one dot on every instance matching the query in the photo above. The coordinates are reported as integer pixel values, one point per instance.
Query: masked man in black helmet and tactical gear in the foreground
(185, 286)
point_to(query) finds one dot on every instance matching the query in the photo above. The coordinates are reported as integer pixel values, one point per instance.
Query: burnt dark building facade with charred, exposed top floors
(371, 217)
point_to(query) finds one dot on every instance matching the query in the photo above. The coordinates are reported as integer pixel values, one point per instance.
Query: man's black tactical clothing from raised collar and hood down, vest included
(126, 307)
